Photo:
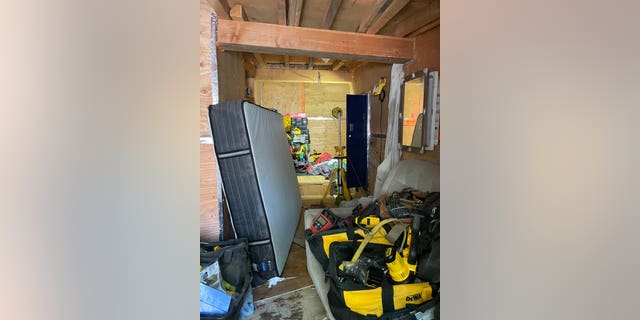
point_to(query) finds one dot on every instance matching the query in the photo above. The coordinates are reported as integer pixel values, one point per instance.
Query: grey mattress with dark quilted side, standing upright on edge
(259, 181)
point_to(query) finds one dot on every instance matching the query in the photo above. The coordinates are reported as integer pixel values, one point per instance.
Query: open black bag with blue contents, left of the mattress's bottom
(235, 268)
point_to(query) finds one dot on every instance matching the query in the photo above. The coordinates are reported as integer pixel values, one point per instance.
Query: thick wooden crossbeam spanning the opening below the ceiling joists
(284, 40)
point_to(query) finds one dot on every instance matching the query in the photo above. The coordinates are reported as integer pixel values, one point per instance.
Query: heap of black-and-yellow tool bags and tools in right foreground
(383, 260)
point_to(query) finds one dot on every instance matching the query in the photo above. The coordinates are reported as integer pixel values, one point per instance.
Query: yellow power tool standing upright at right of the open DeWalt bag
(402, 263)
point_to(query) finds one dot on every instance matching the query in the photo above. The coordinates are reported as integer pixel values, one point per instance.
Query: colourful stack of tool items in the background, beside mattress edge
(295, 125)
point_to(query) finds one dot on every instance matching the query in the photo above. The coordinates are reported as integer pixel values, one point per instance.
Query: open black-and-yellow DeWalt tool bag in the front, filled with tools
(361, 285)
